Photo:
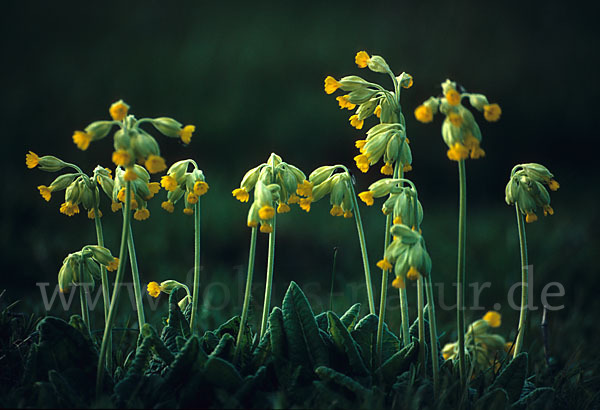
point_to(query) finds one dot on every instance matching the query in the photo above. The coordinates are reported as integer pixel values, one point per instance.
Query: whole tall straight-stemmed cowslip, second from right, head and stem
(463, 137)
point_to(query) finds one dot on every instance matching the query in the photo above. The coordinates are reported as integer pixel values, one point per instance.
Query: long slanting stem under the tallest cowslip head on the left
(116, 290)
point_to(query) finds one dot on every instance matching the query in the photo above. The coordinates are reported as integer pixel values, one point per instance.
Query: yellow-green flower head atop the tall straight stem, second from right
(459, 129)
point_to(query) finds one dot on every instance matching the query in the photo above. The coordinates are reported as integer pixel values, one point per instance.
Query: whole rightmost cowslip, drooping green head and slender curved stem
(525, 190)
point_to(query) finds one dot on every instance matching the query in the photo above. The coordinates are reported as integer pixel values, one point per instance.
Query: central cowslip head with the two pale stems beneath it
(276, 185)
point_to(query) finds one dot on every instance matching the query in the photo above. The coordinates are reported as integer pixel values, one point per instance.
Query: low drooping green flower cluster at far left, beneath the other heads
(84, 266)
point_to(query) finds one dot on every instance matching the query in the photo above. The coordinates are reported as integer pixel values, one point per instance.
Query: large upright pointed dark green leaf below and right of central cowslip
(305, 345)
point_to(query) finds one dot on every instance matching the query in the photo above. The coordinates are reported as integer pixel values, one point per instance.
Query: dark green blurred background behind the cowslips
(250, 77)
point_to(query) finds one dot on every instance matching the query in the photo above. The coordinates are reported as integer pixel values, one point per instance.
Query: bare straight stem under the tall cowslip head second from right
(460, 270)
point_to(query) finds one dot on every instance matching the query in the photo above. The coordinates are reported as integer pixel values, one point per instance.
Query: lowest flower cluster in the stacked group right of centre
(407, 255)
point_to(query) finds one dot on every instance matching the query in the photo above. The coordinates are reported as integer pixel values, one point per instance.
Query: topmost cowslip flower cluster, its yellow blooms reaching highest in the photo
(386, 140)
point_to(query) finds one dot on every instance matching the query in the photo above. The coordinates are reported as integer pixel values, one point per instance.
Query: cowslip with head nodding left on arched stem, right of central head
(342, 197)
